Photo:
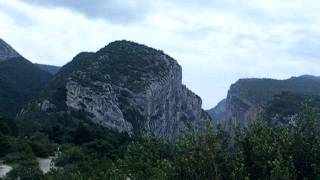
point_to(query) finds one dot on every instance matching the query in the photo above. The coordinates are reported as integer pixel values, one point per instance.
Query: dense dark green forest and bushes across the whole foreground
(258, 152)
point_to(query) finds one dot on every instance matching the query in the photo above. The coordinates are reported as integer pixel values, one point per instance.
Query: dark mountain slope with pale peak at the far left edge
(20, 80)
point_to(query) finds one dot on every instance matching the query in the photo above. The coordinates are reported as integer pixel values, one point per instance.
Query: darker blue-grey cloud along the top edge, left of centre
(116, 11)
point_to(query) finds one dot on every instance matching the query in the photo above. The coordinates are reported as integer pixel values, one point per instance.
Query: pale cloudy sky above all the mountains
(216, 42)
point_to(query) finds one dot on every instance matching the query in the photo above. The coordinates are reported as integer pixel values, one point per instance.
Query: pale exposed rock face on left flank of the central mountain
(100, 104)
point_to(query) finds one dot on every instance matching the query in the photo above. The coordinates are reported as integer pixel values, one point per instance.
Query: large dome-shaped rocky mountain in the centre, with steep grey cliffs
(124, 86)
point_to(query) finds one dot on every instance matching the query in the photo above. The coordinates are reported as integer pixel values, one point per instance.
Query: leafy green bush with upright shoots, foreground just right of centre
(203, 156)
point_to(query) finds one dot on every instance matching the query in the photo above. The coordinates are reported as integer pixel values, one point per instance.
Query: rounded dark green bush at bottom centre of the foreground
(146, 158)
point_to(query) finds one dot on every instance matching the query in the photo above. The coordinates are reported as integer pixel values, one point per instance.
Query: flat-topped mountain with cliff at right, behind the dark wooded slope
(247, 97)
